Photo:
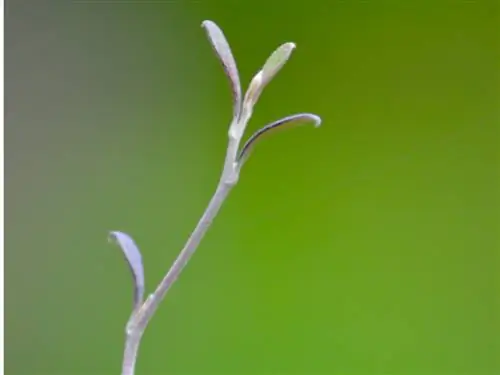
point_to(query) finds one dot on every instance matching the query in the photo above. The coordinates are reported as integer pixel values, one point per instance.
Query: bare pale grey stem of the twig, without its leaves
(139, 320)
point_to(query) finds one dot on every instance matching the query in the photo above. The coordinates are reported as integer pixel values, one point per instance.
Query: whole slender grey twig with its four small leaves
(242, 111)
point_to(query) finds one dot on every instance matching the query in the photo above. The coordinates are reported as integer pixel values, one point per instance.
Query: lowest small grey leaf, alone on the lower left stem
(134, 260)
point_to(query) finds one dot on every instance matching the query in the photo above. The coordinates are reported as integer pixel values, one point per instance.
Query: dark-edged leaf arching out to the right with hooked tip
(284, 123)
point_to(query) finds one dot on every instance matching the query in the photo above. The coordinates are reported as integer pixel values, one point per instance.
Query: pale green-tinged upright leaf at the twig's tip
(271, 67)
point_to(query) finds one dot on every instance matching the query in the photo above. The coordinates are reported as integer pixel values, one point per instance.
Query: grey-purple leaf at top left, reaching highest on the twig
(223, 52)
